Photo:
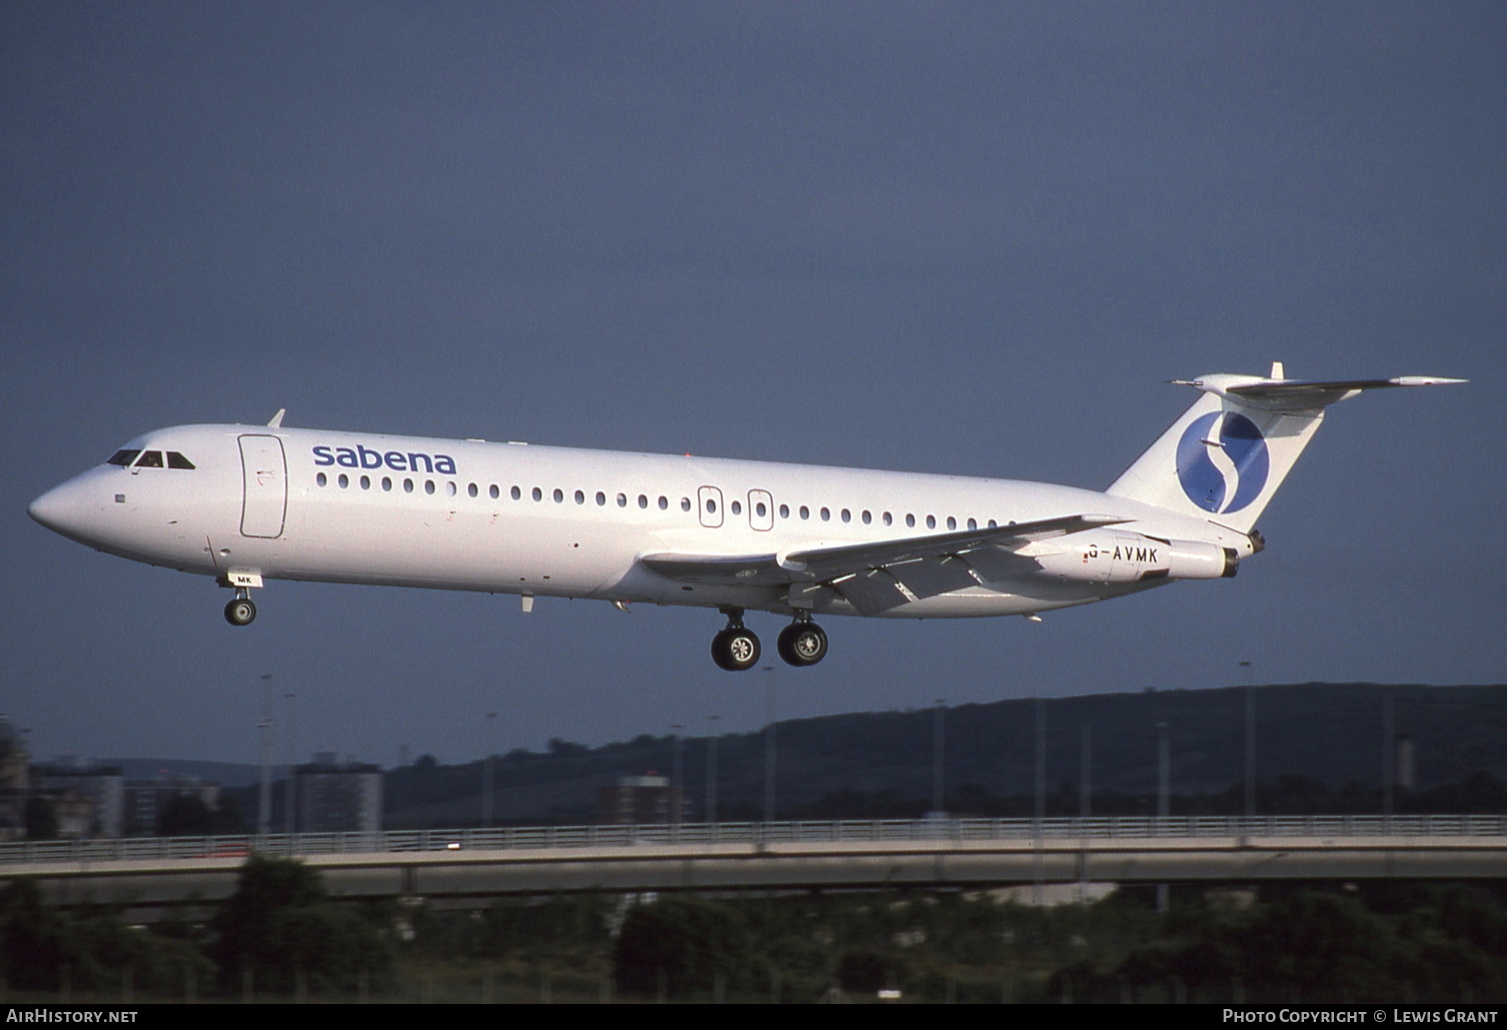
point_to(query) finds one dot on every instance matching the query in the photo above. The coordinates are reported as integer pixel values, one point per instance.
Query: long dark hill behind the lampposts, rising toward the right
(1327, 732)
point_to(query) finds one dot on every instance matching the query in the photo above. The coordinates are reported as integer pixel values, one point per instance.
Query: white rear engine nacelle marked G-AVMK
(1108, 557)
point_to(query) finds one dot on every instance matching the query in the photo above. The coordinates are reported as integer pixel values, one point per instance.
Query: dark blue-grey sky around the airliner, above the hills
(946, 238)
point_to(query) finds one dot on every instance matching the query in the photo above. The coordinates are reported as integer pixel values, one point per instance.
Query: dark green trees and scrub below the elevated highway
(283, 936)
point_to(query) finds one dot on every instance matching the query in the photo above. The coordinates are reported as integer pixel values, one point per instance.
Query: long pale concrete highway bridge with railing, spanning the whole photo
(475, 866)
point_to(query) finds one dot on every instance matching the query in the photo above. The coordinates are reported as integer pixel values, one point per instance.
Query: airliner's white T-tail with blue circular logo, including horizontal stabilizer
(1229, 453)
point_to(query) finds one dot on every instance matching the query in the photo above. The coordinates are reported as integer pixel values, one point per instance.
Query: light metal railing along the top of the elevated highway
(854, 832)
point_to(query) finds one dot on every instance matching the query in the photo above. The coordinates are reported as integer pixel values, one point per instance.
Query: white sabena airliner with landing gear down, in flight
(248, 504)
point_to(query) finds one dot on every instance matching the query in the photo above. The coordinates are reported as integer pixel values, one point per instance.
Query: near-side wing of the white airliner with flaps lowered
(873, 575)
